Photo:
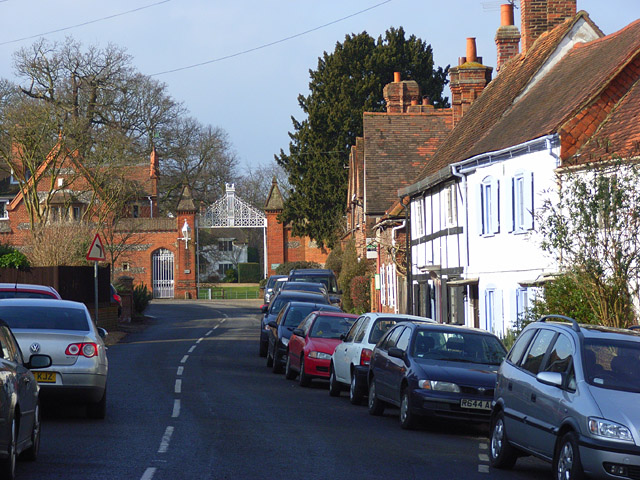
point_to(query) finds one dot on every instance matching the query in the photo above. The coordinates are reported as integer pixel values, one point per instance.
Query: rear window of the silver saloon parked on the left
(44, 318)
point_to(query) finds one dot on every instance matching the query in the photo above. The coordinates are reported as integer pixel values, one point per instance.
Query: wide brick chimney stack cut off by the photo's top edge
(539, 16)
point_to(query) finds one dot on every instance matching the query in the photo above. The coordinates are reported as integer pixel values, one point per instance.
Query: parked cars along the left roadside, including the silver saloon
(49, 348)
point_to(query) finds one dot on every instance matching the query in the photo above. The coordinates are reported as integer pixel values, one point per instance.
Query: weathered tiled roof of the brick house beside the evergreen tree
(396, 147)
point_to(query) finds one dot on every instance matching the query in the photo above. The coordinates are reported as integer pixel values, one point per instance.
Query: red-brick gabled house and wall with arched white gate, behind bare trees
(150, 248)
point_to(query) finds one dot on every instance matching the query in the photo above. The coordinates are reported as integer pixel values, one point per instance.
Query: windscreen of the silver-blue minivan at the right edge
(612, 364)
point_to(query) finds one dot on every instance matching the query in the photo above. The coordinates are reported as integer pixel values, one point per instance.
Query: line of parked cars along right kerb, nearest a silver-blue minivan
(565, 393)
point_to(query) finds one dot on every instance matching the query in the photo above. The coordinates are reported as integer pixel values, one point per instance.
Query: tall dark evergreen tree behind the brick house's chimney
(346, 83)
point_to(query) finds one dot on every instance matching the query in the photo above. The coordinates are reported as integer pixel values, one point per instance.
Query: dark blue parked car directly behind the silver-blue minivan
(440, 370)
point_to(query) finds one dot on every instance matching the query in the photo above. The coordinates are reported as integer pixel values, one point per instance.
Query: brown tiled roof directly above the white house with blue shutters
(558, 96)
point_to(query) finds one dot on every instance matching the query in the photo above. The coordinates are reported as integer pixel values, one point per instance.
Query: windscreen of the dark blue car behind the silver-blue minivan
(458, 346)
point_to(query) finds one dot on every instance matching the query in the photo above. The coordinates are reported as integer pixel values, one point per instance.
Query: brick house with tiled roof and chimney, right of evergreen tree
(395, 146)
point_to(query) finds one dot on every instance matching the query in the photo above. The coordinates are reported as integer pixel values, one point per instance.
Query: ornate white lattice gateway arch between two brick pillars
(231, 211)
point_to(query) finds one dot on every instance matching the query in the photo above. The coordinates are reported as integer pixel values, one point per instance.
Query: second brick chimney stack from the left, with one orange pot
(467, 81)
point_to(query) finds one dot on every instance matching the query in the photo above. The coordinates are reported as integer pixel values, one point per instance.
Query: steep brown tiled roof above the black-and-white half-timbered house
(498, 98)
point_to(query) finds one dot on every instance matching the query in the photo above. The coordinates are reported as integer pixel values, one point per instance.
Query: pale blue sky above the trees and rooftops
(240, 65)
